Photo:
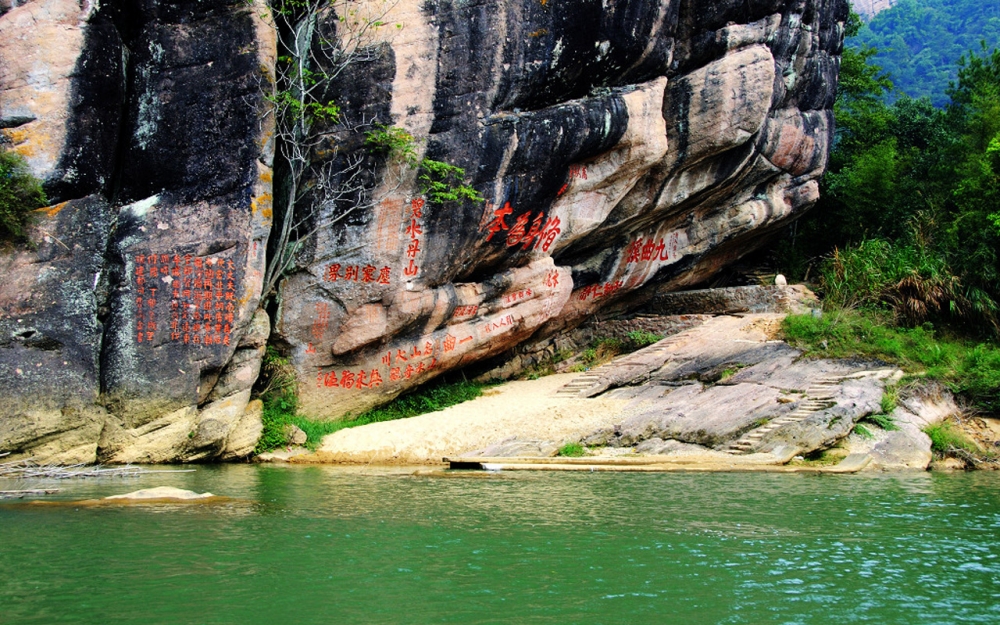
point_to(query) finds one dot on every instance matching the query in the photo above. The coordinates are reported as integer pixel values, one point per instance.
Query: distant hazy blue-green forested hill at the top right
(919, 41)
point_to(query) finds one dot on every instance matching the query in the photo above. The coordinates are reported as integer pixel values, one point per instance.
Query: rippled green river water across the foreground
(341, 546)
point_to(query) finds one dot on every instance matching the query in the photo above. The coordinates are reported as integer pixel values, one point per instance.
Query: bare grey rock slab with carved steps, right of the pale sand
(726, 384)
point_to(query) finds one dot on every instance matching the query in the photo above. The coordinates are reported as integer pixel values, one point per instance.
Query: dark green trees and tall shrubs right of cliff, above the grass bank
(909, 216)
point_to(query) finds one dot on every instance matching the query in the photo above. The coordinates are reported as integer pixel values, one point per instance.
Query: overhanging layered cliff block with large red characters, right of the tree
(617, 146)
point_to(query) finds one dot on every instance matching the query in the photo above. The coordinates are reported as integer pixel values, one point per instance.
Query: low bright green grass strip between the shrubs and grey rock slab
(968, 368)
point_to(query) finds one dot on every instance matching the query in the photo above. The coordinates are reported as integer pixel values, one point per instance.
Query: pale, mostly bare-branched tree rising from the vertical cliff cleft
(318, 40)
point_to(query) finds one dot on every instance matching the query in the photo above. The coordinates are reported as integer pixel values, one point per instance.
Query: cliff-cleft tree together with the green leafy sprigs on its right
(318, 41)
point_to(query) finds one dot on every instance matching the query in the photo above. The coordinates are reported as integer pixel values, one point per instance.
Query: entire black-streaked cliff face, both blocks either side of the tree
(619, 146)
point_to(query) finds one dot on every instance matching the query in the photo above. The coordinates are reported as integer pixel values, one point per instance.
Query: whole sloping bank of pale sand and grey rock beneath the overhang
(764, 414)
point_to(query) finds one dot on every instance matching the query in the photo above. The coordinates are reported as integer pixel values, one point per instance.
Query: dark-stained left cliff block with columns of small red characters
(122, 330)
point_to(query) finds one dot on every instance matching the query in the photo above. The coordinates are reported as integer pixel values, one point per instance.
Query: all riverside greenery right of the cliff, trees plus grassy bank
(904, 246)
